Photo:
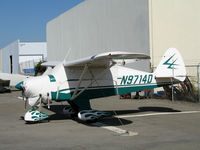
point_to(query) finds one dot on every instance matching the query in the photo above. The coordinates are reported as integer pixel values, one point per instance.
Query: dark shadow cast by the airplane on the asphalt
(111, 121)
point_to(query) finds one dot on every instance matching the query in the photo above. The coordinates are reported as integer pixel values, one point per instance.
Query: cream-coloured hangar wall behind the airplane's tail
(175, 23)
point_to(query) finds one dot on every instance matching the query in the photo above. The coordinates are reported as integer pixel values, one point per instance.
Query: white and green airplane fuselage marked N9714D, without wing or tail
(62, 82)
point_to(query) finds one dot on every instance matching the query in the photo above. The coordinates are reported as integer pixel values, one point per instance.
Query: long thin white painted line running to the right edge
(157, 114)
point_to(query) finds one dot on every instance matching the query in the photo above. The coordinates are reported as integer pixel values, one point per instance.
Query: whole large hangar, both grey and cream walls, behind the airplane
(96, 26)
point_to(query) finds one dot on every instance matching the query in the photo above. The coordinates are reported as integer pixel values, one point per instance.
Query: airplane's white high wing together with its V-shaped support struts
(103, 60)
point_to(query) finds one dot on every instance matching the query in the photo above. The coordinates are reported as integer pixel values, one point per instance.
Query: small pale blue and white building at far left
(21, 57)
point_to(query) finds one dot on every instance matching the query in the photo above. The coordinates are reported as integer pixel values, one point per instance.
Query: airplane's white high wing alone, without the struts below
(102, 60)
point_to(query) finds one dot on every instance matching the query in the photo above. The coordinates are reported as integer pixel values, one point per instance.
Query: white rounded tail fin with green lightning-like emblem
(171, 66)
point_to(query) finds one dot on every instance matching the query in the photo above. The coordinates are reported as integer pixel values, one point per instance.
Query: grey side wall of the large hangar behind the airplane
(96, 26)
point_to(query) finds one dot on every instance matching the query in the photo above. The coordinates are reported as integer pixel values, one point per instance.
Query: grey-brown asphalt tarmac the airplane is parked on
(146, 124)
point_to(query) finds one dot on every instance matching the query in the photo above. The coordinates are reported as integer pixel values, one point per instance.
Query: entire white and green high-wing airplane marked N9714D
(79, 81)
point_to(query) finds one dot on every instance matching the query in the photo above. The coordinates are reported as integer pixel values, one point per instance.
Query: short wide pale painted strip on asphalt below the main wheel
(119, 131)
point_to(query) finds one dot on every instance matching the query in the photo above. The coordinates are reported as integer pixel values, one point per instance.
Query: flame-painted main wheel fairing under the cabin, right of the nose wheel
(91, 115)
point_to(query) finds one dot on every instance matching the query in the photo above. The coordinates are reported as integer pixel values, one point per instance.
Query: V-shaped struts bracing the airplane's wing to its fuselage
(76, 93)
